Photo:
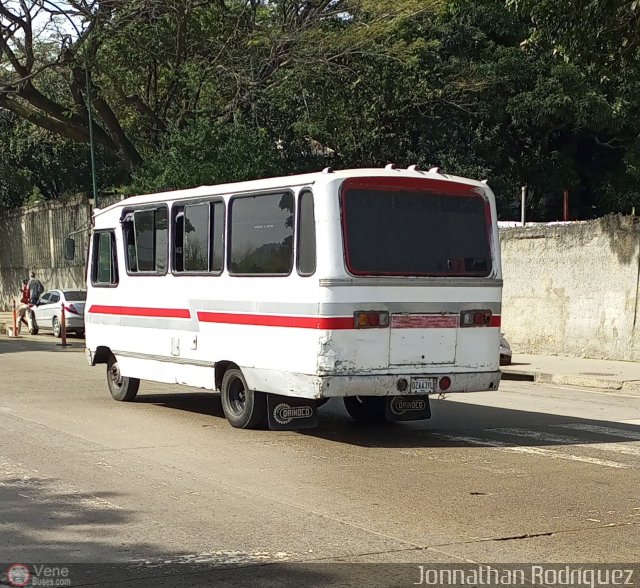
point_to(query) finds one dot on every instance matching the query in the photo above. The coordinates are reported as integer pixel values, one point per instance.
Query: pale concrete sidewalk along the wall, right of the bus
(572, 371)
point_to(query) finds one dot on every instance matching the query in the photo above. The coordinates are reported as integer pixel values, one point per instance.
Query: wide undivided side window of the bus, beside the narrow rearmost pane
(261, 234)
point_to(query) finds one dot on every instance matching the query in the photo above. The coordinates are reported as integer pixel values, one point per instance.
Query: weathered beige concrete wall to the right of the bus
(572, 289)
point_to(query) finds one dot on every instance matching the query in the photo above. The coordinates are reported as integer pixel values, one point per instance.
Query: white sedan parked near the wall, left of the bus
(47, 313)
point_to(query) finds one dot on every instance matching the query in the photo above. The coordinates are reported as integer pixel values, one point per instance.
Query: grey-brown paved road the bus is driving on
(528, 473)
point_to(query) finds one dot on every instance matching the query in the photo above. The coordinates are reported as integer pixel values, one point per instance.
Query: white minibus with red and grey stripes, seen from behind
(378, 286)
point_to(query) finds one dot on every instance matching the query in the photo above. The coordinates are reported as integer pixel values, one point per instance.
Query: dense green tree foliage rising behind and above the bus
(521, 92)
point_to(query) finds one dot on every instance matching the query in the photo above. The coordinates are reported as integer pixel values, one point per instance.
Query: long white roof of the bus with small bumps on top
(284, 181)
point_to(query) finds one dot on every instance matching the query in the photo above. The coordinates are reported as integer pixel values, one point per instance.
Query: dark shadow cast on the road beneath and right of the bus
(450, 424)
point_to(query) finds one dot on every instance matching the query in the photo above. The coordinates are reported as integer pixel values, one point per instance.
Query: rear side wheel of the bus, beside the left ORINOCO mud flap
(244, 408)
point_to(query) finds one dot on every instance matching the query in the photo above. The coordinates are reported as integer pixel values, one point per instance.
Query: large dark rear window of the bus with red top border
(415, 228)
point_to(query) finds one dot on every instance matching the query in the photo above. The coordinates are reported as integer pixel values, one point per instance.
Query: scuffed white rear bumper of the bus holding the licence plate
(405, 384)
